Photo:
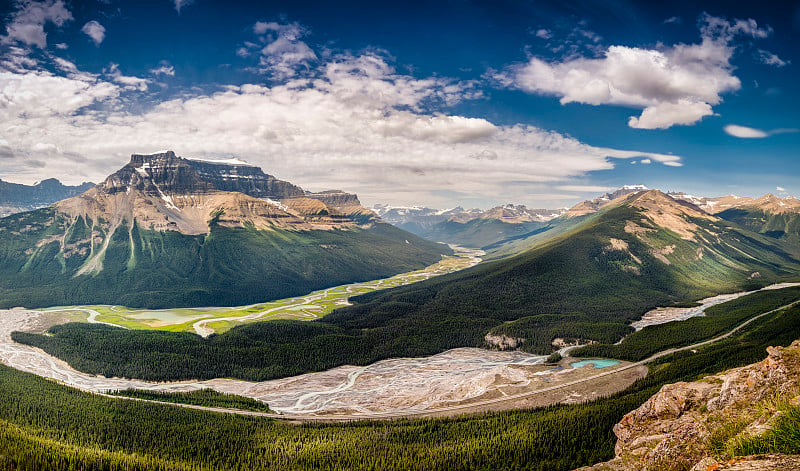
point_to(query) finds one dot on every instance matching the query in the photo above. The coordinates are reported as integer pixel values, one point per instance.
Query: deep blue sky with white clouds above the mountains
(438, 103)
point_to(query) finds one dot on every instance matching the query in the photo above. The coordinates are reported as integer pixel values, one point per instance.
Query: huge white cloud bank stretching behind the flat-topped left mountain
(347, 121)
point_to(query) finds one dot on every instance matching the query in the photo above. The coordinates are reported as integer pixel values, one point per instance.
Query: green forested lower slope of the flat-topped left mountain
(49, 259)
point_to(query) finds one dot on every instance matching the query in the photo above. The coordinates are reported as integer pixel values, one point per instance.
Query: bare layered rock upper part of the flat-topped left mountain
(165, 192)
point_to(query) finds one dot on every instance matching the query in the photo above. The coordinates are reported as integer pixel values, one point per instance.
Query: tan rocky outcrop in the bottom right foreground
(683, 426)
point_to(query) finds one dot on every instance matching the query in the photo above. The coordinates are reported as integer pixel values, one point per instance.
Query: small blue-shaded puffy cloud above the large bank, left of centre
(280, 49)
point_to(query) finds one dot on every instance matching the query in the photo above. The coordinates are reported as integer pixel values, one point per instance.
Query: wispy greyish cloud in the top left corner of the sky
(27, 23)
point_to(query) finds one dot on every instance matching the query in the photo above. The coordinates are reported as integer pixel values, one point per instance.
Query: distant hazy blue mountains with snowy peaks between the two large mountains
(471, 228)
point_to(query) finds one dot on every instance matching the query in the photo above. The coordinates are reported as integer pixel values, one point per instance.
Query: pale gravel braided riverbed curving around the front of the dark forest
(455, 382)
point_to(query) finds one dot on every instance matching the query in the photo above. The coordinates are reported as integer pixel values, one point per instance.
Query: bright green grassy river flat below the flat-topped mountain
(208, 320)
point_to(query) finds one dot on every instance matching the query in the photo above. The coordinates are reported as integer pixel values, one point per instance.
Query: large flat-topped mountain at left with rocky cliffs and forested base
(166, 231)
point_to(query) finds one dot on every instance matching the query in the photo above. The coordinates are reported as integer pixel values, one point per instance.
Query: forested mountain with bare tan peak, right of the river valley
(641, 251)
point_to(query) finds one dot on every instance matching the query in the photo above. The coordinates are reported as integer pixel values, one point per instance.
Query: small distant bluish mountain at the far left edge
(16, 198)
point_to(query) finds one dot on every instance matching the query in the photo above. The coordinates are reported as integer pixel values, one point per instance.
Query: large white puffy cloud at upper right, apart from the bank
(675, 85)
